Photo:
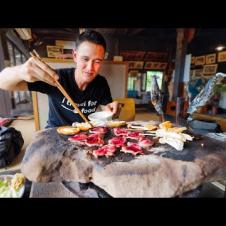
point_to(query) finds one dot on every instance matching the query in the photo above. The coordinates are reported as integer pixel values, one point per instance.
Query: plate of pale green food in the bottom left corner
(12, 186)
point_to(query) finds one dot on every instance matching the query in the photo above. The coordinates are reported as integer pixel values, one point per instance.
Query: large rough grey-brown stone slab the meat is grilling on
(164, 172)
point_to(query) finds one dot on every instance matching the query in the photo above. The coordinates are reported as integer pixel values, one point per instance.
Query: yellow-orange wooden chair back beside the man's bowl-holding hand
(127, 110)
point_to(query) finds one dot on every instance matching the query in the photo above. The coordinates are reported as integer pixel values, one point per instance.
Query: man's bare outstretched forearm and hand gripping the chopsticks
(16, 78)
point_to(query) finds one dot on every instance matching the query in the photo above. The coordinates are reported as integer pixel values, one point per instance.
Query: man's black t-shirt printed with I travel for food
(61, 112)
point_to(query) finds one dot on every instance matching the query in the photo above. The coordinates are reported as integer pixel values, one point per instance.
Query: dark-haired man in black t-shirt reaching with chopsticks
(83, 84)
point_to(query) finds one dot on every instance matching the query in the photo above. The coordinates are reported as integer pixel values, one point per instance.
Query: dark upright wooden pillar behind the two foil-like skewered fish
(179, 63)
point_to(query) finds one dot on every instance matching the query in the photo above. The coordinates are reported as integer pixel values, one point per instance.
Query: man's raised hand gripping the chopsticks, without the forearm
(34, 70)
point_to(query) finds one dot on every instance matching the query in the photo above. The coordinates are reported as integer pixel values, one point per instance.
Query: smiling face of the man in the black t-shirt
(88, 58)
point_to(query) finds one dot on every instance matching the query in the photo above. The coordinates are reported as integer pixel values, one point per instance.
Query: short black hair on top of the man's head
(91, 36)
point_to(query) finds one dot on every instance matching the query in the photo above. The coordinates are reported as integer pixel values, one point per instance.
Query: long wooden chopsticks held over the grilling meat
(36, 56)
